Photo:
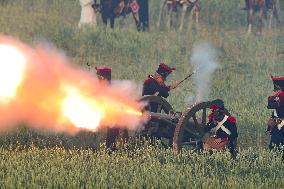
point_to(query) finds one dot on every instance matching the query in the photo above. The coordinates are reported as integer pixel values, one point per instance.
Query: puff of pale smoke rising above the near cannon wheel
(204, 59)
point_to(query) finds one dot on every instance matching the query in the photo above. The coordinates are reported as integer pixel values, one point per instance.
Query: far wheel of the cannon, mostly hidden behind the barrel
(163, 107)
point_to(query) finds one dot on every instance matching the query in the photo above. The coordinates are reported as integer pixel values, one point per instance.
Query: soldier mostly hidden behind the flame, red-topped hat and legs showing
(104, 75)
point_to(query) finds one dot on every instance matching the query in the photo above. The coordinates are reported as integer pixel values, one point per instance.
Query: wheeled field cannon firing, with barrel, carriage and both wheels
(176, 129)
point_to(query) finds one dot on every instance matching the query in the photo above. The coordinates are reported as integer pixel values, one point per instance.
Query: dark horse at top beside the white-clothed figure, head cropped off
(111, 9)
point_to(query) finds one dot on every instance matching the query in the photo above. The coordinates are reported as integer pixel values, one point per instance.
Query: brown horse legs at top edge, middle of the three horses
(188, 6)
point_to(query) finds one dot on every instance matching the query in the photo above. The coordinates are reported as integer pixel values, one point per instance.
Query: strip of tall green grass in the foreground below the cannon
(144, 167)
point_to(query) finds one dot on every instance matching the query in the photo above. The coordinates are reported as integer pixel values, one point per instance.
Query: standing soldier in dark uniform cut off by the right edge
(276, 123)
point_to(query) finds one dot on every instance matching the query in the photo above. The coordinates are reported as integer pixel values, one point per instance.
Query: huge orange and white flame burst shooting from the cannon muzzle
(40, 88)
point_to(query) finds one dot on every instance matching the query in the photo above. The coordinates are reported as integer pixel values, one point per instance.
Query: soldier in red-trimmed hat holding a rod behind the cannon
(155, 84)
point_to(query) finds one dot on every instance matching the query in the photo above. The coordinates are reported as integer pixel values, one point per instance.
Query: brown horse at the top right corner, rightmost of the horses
(264, 7)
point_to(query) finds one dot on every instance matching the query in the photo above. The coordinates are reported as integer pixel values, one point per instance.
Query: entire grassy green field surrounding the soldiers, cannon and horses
(243, 81)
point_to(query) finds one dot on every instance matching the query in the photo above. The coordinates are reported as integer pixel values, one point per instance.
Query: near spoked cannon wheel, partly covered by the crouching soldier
(189, 129)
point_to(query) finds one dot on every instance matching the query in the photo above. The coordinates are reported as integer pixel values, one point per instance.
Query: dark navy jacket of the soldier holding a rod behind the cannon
(151, 86)
